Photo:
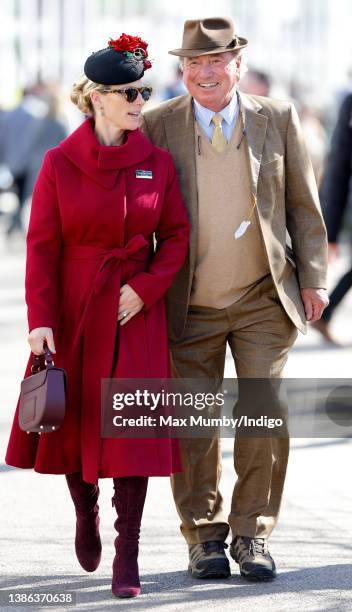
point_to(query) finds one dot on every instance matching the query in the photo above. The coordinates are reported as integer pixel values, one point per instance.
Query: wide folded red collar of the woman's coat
(101, 162)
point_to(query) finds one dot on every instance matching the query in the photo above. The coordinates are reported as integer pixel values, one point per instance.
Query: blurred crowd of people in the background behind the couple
(37, 123)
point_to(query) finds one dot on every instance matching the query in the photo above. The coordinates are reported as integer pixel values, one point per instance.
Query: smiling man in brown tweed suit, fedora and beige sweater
(245, 176)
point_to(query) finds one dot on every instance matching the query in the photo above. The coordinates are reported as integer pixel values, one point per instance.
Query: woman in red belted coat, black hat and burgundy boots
(94, 290)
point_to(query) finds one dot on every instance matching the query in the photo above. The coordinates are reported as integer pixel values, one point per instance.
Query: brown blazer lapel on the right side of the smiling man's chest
(255, 126)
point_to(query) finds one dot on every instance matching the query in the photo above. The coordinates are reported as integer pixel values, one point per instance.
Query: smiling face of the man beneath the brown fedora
(211, 79)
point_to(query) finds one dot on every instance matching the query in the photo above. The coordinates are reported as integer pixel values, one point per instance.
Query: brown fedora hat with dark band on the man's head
(211, 35)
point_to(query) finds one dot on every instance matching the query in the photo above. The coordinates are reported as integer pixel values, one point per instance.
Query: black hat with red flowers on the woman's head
(123, 61)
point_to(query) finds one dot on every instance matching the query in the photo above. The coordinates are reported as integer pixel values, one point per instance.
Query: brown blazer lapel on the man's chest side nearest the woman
(179, 128)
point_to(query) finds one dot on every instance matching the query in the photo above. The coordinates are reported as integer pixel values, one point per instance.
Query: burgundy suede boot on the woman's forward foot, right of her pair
(128, 500)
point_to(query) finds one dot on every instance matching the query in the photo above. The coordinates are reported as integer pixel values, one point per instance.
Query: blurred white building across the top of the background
(307, 43)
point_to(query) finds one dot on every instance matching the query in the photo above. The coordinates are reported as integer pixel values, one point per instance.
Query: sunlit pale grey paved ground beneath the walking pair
(312, 543)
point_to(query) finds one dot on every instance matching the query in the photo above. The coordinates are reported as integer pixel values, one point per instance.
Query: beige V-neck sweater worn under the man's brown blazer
(226, 268)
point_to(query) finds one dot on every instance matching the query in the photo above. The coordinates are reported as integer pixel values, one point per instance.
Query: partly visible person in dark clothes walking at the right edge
(335, 194)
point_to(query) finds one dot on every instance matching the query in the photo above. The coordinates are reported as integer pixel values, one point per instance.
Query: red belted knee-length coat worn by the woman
(91, 230)
